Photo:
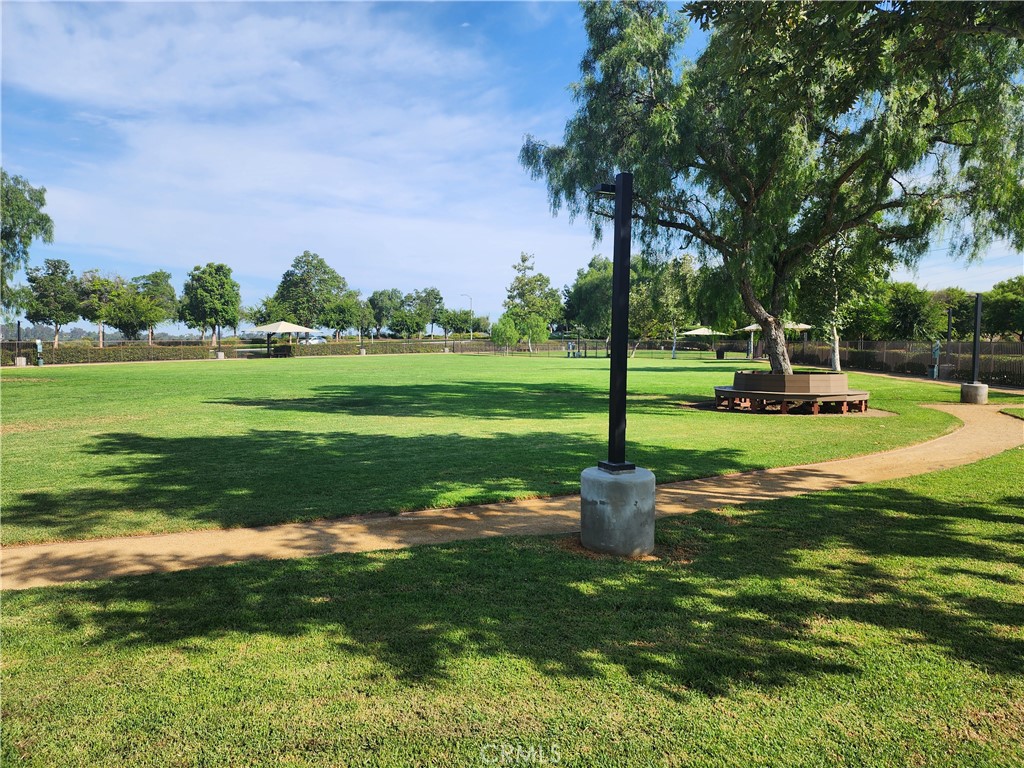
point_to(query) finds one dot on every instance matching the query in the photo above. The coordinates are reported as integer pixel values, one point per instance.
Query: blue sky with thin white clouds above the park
(382, 137)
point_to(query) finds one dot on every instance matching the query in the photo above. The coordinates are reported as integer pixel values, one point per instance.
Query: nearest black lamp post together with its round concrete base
(617, 498)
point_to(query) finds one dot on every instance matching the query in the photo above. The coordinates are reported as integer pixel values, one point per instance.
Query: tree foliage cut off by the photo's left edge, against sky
(22, 222)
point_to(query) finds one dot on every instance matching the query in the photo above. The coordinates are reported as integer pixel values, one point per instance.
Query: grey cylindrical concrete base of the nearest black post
(617, 515)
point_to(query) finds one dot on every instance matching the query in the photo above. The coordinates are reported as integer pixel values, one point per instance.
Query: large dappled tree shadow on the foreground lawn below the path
(776, 593)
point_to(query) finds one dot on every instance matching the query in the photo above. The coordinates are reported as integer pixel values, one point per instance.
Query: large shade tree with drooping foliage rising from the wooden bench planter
(799, 123)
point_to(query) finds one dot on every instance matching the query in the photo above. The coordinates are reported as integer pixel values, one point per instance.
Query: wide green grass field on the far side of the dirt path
(97, 451)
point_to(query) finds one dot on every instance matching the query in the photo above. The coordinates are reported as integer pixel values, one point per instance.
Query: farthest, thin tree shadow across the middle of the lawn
(473, 400)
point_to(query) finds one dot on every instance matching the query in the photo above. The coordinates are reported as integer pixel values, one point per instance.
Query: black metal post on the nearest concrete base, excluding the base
(623, 193)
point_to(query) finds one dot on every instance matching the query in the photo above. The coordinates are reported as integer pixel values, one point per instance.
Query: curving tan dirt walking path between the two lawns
(986, 433)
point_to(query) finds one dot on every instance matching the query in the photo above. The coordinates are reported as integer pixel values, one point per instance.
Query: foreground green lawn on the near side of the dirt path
(878, 626)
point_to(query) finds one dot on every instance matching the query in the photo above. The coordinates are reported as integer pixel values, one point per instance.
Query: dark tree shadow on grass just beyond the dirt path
(271, 477)
